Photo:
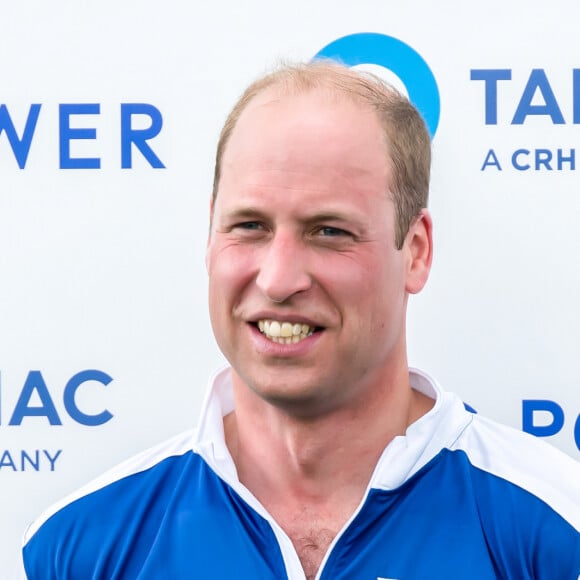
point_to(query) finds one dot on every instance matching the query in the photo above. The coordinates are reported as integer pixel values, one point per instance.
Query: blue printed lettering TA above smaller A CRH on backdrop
(540, 104)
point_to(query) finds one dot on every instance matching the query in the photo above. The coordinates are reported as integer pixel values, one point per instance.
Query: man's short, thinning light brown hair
(407, 141)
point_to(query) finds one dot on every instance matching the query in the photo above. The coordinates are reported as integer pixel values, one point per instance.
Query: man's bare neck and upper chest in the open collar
(311, 475)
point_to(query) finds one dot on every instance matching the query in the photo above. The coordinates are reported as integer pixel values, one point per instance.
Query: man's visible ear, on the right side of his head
(418, 247)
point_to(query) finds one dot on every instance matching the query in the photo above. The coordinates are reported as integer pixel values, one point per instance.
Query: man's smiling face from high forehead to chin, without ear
(302, 246)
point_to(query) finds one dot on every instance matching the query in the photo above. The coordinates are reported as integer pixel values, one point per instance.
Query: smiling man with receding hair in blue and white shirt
(319, 453)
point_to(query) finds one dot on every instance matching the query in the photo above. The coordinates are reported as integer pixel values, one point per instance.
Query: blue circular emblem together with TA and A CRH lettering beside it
(537, 101)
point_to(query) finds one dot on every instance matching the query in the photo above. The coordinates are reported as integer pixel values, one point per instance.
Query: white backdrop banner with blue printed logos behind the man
(109, 117)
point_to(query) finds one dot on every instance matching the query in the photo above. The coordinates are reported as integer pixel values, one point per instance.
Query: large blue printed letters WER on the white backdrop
(77, 127)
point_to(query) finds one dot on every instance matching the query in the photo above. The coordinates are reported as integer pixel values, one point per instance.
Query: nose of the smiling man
(282, 269)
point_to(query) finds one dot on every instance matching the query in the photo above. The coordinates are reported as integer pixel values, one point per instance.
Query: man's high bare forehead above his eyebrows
(288, 142)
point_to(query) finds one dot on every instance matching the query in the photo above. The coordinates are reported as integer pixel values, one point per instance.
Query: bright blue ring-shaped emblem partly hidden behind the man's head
(398, 57)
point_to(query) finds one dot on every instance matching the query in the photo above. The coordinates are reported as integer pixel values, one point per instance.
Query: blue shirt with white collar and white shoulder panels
(457, 497)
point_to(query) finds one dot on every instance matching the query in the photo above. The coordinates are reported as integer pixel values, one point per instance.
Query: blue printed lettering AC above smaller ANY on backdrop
(36, 403)
